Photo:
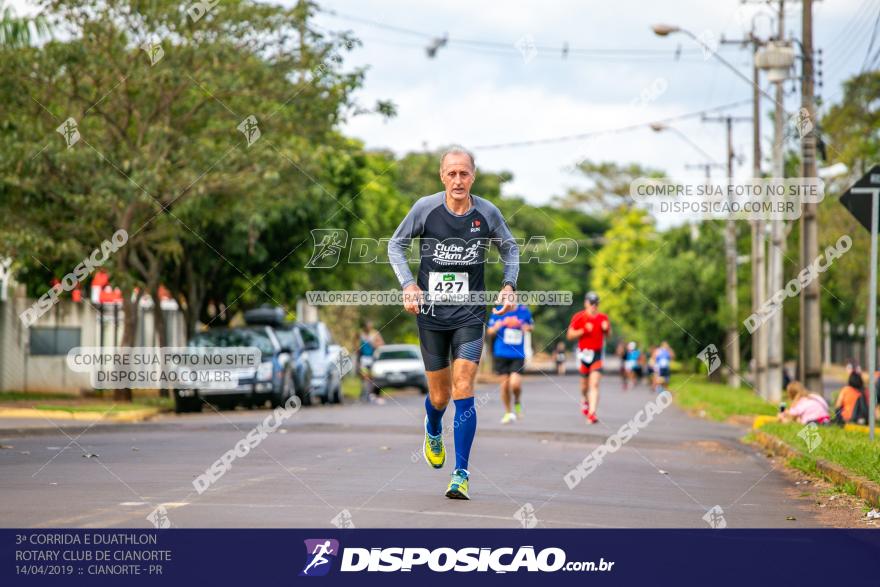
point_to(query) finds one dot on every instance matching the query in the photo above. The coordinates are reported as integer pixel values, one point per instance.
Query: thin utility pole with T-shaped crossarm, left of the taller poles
(731, 337)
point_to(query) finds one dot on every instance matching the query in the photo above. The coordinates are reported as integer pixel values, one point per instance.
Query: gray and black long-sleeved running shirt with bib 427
(452, 252)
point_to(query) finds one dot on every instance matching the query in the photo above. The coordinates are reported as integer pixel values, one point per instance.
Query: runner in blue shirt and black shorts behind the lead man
(509, 354)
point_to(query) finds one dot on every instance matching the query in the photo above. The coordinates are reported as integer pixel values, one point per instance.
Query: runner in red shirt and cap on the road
(590, 327)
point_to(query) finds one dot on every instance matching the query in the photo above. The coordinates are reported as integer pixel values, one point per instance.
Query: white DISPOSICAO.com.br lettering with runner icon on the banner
(321, 555)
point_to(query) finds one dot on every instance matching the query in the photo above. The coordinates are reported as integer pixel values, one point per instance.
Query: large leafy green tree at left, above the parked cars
(158, 101)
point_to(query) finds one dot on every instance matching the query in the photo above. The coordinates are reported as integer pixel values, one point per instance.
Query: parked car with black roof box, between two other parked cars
(297, 339)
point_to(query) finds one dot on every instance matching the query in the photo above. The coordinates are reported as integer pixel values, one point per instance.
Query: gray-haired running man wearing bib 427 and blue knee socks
(455, 230)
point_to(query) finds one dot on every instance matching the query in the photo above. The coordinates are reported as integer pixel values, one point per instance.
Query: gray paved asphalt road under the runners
(364, 459)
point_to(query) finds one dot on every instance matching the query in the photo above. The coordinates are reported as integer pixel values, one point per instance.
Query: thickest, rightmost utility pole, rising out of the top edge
(810, 359)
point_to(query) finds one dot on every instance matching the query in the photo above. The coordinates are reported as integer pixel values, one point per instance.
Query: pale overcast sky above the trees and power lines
(617, 73)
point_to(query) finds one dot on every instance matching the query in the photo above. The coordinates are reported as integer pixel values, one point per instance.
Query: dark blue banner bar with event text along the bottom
(391, 557)
